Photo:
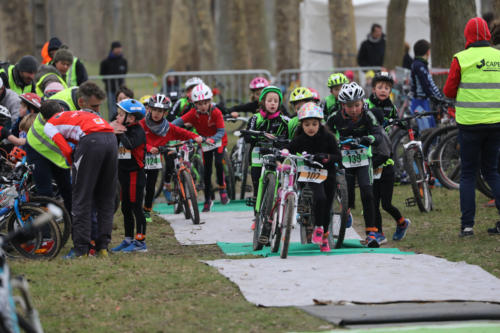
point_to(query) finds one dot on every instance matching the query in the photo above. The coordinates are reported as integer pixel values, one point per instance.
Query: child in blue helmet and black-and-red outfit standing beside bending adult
(131, 148)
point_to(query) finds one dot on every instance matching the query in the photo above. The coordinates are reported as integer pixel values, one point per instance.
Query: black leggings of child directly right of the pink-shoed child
(364, 176)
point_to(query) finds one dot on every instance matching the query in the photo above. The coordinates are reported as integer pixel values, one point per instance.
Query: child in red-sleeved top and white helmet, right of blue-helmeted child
(158, 133)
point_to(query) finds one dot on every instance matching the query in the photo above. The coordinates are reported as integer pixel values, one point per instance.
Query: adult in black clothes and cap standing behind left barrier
(114, 64)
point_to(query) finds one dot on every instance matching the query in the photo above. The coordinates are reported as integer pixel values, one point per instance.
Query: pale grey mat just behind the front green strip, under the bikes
(232, 227)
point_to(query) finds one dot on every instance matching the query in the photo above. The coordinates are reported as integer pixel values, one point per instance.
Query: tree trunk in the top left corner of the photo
(16, 26)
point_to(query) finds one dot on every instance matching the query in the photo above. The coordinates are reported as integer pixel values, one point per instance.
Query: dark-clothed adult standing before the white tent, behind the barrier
(372, 50)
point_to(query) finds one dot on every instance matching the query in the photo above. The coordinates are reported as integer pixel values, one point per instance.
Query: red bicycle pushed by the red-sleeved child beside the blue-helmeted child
(184, 194)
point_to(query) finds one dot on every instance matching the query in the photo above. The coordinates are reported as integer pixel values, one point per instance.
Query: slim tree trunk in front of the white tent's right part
(394, 49)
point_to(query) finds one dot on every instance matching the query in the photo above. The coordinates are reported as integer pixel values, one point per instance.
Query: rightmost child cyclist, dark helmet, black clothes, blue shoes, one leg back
(384, 176)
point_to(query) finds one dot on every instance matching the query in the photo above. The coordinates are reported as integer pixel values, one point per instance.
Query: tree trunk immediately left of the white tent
(287, 35)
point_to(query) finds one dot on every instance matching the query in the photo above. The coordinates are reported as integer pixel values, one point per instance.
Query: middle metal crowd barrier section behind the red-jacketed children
(230, 86)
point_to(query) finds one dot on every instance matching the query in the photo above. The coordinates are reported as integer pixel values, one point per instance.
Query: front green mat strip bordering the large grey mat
(350, 246)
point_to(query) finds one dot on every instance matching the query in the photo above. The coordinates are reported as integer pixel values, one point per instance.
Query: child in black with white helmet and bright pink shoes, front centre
(314, 138)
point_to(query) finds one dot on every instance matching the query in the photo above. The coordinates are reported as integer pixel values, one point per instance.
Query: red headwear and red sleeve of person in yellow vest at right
(475, 30)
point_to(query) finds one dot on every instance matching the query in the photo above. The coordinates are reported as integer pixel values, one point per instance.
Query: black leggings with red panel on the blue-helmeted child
(132, 184)
